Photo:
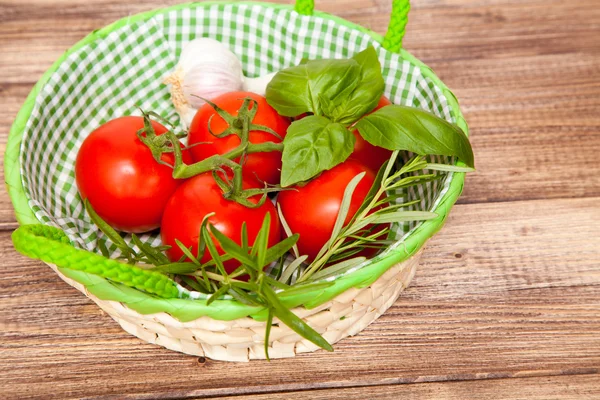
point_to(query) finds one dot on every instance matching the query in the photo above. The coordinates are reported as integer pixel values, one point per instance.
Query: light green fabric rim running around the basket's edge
(229, 309)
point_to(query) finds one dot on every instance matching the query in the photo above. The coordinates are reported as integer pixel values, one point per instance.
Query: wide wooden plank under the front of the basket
(505, 290)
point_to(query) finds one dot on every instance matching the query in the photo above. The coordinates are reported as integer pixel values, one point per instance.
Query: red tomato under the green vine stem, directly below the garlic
(266, 166)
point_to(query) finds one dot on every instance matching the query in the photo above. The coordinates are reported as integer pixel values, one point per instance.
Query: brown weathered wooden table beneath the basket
(506, 303)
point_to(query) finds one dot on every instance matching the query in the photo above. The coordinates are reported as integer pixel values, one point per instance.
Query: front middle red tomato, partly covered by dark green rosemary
(199, 196)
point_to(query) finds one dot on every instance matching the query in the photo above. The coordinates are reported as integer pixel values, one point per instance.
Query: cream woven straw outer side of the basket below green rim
(243, 339)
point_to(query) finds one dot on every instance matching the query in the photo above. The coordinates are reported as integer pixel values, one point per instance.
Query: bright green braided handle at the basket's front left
(51, 245)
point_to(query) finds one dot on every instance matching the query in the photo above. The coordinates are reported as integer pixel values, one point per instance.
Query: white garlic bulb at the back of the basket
(207, 69)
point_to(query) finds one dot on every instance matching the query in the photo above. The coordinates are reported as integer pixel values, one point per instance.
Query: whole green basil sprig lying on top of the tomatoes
(339, 93)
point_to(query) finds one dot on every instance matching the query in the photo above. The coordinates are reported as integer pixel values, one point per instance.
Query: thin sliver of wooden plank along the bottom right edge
(545, 388)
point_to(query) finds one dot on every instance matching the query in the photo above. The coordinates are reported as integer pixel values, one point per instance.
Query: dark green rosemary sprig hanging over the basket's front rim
(211, 277)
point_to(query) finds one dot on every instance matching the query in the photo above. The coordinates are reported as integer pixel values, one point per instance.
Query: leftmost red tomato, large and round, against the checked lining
(116, 172)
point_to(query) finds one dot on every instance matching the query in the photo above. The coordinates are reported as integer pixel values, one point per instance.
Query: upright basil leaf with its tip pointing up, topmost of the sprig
(368, 92)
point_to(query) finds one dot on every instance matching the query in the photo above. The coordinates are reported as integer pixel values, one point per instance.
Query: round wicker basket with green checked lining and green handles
(118, 68)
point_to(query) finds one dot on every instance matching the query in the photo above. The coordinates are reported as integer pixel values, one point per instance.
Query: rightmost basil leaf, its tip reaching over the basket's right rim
(407, 128)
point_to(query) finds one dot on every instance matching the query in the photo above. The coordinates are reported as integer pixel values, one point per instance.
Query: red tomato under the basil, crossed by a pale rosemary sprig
(311, 210)
